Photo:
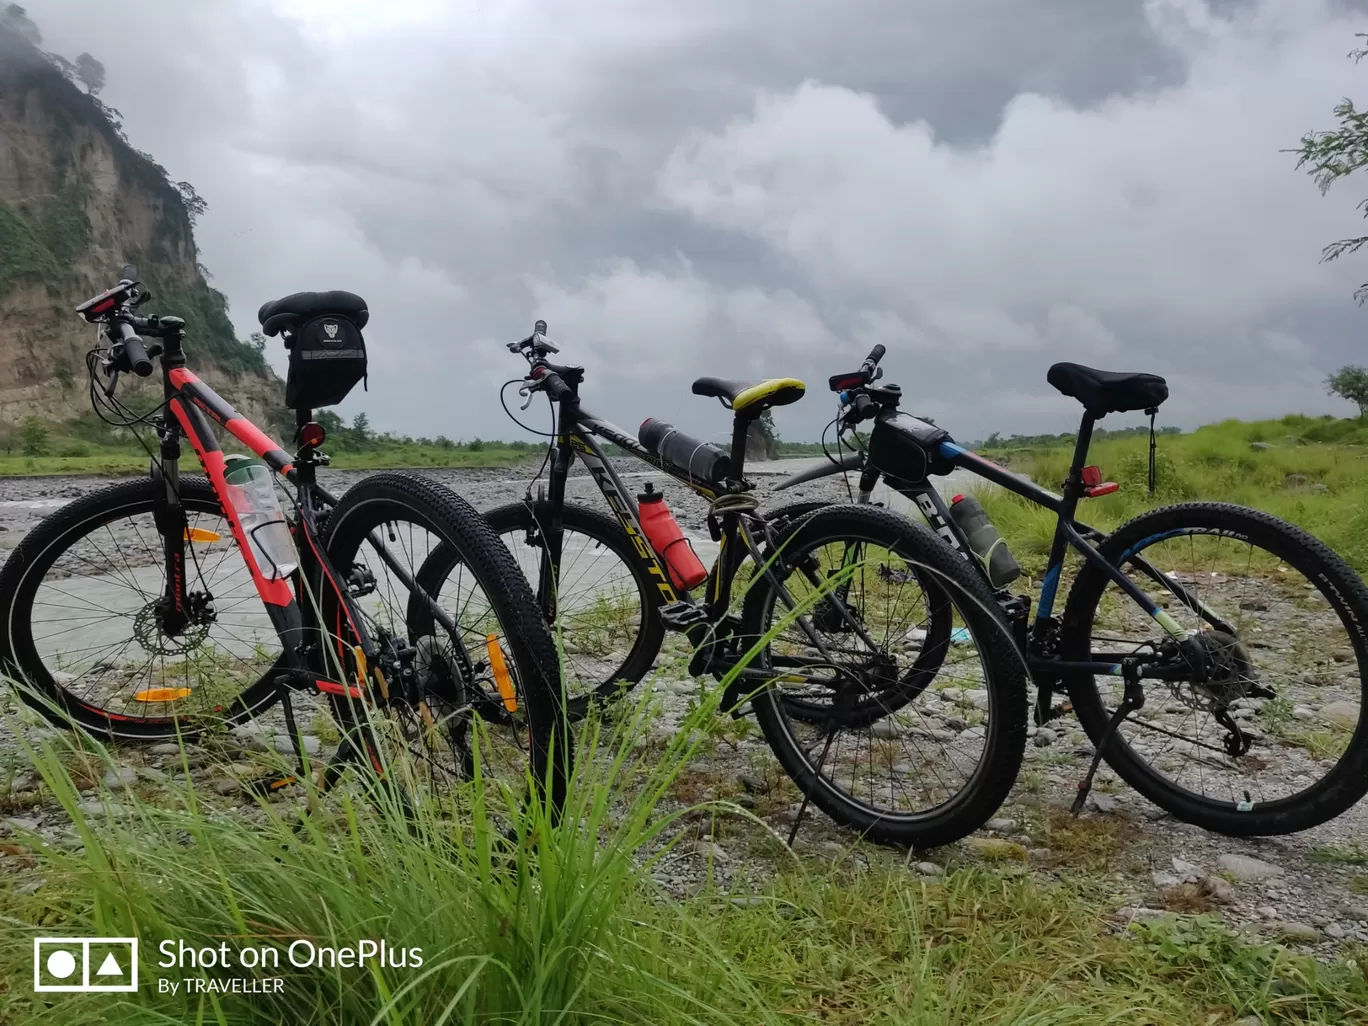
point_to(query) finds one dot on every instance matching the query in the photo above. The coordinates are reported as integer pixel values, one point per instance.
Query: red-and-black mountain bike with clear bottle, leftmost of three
(170, 605)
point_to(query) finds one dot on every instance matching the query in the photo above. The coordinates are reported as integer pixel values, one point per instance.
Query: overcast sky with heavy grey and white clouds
(689, 188)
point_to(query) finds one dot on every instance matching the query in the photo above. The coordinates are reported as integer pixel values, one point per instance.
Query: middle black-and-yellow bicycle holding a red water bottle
(849, 607)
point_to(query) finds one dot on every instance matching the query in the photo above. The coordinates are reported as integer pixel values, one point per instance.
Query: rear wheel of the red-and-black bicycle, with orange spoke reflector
(486, 683)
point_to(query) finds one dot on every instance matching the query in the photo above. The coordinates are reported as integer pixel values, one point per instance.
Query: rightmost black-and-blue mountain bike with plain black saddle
(1213, 653)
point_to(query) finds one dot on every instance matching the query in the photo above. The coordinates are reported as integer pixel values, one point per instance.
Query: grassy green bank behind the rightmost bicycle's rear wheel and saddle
(1310, 471)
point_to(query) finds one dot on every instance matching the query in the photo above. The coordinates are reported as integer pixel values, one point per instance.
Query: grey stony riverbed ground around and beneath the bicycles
(1308, 890)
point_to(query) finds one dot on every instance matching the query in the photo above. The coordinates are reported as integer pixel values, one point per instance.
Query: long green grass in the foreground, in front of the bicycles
(567, 925)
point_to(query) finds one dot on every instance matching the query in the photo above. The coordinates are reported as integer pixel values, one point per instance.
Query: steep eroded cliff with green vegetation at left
(77, 203)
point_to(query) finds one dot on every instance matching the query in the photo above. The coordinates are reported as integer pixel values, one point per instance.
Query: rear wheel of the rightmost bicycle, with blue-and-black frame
(1263, 734)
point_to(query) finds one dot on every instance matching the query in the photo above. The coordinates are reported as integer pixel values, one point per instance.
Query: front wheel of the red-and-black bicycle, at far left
(84, 626)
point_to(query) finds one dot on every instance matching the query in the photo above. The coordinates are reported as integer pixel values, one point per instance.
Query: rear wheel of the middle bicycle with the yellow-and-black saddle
(880, 745)
